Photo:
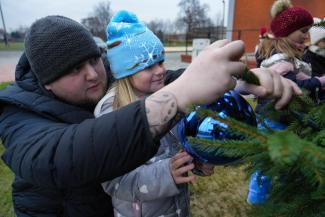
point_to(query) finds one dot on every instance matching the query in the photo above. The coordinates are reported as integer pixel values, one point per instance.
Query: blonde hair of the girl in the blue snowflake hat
(124, 93)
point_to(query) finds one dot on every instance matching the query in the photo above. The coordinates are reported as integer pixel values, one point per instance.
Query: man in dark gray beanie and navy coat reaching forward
(60, 153)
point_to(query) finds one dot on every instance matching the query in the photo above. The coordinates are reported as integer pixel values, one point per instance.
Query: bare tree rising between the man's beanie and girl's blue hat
(99, 18)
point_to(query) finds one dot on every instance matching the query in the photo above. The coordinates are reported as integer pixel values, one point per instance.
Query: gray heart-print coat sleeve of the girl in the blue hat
(146, 183)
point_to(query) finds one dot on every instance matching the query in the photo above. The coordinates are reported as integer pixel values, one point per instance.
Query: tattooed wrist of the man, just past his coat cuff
(161, 109)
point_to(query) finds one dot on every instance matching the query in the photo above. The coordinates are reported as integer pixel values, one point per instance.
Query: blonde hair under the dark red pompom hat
(279, 45)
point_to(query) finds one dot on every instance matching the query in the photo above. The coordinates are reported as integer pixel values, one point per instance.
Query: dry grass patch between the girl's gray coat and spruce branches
(221, 195)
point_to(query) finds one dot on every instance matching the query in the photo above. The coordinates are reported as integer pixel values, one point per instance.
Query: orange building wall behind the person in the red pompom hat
(250, 15)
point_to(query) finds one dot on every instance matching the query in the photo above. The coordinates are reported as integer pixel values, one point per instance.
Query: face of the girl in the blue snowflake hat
(149, 80)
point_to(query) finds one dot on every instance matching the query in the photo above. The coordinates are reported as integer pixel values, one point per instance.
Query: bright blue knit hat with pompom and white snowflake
(132, 47)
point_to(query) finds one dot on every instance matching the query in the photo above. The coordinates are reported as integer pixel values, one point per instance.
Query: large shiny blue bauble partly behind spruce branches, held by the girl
(231, 104)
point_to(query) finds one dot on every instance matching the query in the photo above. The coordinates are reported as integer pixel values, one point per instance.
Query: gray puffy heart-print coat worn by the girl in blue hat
(149, 190)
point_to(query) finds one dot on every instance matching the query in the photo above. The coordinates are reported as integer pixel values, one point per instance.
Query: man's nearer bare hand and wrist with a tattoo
(206, 79)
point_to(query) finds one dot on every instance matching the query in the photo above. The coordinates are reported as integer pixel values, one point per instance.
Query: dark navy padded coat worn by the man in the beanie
(60, 153)
